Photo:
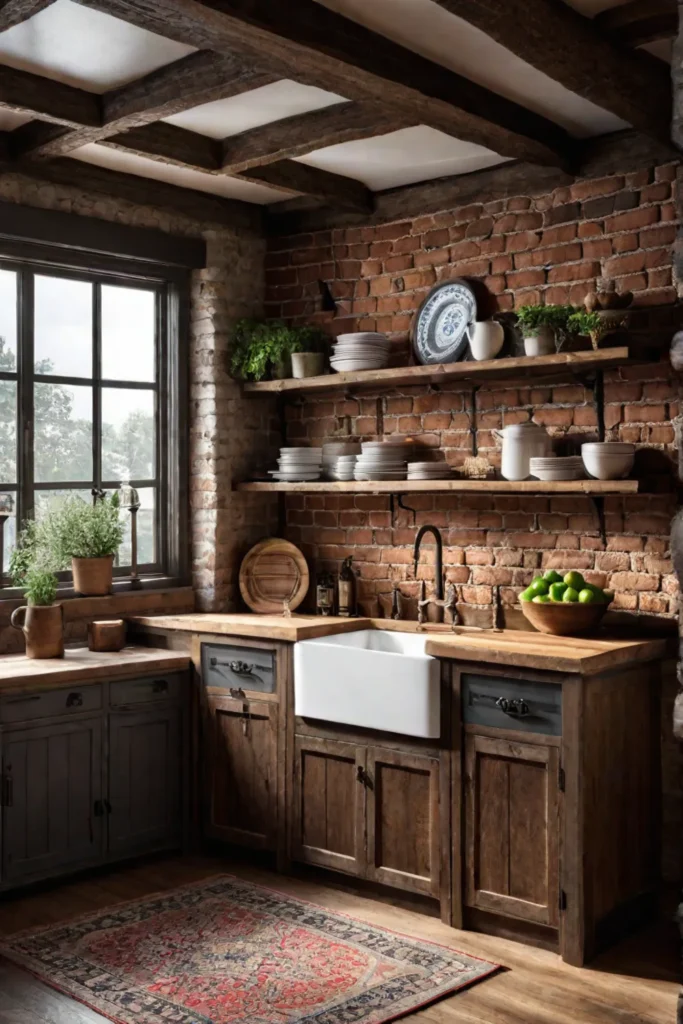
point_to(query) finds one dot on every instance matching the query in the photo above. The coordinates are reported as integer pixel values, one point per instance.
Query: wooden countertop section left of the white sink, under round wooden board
(250, 625)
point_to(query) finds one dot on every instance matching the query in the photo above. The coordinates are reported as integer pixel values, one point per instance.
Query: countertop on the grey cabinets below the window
(81, 665)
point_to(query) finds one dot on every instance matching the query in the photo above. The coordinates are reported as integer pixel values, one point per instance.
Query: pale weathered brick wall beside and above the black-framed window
(226, 433)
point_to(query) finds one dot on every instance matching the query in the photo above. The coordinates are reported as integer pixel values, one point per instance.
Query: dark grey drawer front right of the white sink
(510, 704)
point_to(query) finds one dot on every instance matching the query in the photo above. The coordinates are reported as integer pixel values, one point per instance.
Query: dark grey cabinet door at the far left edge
(53, 818)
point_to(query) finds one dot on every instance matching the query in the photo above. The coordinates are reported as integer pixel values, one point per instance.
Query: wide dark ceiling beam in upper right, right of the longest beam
(556, 39)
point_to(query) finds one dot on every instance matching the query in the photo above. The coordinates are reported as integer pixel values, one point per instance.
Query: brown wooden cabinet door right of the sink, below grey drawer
(513, 829)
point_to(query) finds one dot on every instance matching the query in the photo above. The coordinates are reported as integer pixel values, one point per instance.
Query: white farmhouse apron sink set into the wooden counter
(375, 679)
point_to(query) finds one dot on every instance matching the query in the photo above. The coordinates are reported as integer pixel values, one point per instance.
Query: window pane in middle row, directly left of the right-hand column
(63, 448)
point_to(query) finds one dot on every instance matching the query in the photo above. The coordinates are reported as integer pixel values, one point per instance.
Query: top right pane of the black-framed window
(129, 334)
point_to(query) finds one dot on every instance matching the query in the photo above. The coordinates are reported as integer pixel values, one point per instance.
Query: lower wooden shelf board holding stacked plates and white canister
(591, 488)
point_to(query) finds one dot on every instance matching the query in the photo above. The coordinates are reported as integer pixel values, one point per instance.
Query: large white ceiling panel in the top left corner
(86, 49)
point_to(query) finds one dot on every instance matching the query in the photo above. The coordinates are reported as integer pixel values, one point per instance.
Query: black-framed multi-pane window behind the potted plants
(90, 399)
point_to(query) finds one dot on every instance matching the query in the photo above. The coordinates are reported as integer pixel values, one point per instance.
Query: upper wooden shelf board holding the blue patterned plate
(444, 373)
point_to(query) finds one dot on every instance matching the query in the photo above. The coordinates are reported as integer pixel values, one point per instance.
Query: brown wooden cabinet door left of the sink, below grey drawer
(242, 770)
